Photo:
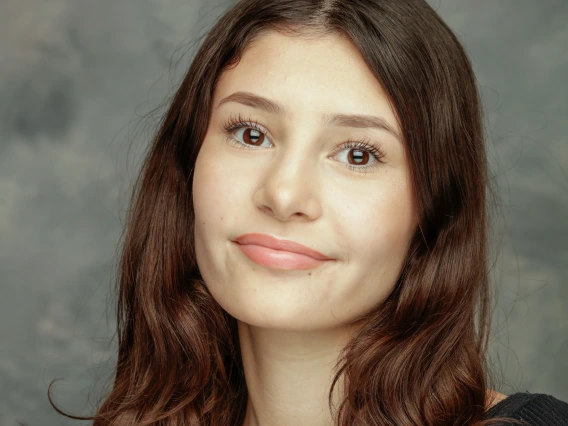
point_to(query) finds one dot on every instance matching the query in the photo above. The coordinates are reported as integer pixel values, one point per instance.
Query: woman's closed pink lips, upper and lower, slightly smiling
(281, 254)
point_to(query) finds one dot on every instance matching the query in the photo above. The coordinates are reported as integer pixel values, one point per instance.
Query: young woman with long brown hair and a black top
(308, 239)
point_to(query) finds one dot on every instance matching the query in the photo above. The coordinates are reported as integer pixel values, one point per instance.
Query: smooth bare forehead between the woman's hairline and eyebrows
(307, 76)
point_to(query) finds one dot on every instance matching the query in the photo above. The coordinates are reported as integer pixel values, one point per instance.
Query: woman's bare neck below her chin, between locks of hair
(289, 375)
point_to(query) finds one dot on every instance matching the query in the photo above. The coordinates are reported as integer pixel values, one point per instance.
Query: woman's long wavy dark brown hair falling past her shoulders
(421, 356)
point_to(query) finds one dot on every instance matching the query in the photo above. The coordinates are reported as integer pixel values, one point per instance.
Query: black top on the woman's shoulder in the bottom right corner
(536, 409)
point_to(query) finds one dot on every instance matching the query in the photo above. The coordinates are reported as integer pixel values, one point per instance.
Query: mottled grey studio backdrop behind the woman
(76, 77)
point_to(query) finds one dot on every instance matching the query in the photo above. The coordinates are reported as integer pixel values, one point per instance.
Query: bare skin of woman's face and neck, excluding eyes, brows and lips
(297, 185)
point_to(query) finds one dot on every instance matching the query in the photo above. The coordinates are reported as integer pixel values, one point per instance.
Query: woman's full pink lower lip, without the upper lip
(278, 259)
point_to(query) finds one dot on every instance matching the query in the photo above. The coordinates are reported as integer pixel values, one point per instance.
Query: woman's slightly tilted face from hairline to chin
(295, 178)
